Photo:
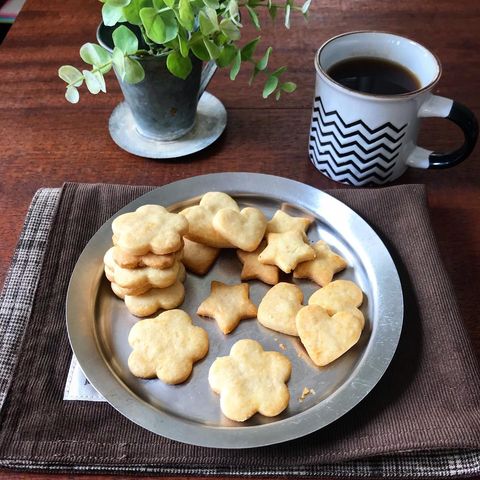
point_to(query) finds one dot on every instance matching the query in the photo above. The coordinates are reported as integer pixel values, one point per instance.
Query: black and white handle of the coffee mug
(436, 106)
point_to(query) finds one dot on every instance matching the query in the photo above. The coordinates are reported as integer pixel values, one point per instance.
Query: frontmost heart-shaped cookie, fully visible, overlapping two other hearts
(327, 338)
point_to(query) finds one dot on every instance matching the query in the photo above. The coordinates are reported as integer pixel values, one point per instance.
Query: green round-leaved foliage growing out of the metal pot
(177, 29)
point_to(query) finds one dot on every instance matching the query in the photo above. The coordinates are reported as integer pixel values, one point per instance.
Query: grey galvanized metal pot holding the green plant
(163, 106)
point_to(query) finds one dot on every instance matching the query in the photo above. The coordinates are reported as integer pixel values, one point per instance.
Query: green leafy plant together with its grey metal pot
(156, 48)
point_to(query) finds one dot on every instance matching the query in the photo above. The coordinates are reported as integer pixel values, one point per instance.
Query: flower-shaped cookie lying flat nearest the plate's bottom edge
(251, 380)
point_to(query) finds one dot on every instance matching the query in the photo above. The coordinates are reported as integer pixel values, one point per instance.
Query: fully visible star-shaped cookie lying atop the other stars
(286, 250)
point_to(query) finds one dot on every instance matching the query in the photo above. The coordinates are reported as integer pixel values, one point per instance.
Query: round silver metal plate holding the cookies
(98, 323)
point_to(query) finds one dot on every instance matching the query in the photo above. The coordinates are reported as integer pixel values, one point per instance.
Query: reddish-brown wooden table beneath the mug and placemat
(46, 141)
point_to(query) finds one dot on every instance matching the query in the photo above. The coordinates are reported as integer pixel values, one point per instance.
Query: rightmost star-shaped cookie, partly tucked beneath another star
(322, 268)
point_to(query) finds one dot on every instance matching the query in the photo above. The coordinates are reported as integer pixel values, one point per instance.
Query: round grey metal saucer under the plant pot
(209, 124)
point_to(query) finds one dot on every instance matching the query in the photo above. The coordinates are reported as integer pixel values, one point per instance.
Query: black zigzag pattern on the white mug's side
(344, 155)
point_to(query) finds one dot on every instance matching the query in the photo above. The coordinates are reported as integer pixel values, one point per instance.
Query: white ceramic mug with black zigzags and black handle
(361, 138)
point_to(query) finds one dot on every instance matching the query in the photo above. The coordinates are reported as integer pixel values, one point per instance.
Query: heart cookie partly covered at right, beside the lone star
(279, 307)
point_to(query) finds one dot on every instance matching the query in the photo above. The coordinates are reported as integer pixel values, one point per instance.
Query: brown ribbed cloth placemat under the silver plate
(427, 405)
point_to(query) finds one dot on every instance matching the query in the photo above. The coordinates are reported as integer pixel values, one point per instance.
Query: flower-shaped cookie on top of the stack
(151, 228)
